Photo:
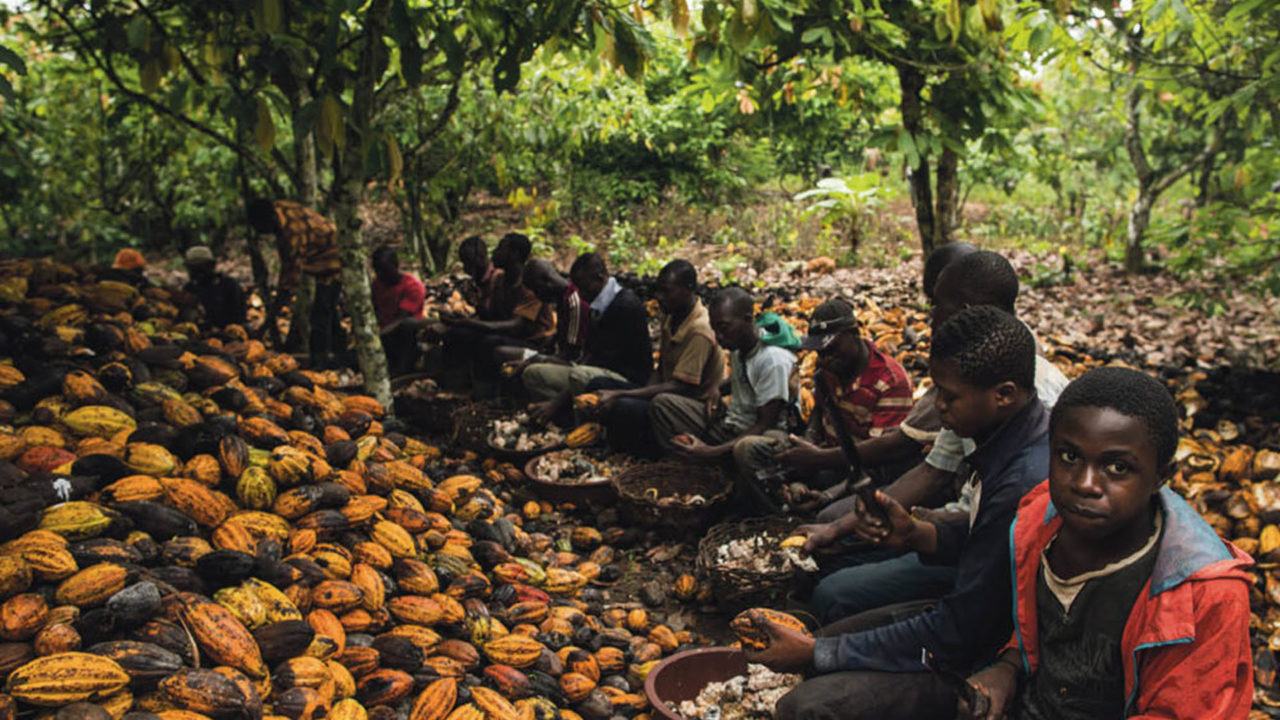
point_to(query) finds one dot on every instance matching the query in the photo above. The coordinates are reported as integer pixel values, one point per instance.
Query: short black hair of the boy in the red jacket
(1132, 394)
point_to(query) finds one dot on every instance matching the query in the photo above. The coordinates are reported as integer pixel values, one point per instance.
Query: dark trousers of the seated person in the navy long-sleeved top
(863, 695)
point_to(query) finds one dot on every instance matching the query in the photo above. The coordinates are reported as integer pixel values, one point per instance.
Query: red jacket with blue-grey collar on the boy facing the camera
(1187, 641)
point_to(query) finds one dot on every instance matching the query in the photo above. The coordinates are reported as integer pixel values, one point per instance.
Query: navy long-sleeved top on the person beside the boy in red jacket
(975, 619)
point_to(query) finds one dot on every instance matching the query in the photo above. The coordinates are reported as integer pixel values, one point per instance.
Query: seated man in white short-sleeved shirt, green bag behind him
(760, 388)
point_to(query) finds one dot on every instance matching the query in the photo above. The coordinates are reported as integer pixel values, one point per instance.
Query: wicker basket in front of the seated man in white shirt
(646, 494)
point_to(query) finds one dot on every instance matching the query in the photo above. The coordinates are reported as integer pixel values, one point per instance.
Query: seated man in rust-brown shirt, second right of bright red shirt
(516, 318)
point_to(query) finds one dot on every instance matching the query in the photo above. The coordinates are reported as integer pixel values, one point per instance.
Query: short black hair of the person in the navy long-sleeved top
(989, 347)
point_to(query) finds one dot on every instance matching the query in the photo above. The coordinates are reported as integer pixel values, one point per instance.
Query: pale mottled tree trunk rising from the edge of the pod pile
(349, 192)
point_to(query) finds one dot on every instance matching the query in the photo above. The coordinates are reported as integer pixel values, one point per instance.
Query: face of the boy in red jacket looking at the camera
(1103, 471)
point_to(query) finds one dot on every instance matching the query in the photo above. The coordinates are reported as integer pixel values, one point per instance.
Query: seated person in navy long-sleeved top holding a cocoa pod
(881, 664)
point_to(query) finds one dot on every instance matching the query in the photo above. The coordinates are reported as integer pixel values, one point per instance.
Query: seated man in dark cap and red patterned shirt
(871, 391)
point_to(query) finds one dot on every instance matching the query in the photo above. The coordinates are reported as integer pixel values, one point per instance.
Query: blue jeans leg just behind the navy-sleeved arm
(879, 584)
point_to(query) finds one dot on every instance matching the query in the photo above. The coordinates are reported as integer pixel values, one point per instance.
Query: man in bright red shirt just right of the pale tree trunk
(399, 299)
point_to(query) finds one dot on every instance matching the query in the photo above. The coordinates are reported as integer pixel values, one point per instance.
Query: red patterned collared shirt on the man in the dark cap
(875, 402)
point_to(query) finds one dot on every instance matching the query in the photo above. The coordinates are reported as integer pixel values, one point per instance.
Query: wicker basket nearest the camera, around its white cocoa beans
(737, 589)
